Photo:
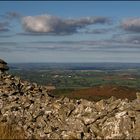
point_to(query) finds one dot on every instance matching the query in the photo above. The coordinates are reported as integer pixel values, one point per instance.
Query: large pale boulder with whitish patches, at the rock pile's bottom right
(118, 127)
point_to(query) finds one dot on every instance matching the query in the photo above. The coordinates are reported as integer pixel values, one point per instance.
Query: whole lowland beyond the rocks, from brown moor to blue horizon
(90, 81)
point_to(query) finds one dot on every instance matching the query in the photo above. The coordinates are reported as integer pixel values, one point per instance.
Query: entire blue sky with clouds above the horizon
(70, 31)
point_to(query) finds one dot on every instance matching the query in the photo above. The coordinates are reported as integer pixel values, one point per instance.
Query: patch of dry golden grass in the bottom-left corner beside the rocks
(11, 132)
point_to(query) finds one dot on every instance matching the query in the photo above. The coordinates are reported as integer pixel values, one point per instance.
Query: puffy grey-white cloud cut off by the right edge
(132, 24)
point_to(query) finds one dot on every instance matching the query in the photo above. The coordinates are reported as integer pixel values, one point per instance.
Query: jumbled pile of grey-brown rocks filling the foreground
(43, 116)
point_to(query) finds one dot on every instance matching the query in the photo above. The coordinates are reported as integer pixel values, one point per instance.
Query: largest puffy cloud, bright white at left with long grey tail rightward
(54, 25)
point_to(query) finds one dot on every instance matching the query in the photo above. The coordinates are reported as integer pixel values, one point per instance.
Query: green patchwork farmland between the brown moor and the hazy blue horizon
(66, 79)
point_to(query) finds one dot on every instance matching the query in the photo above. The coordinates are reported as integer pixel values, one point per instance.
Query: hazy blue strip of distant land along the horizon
(74, 66)
